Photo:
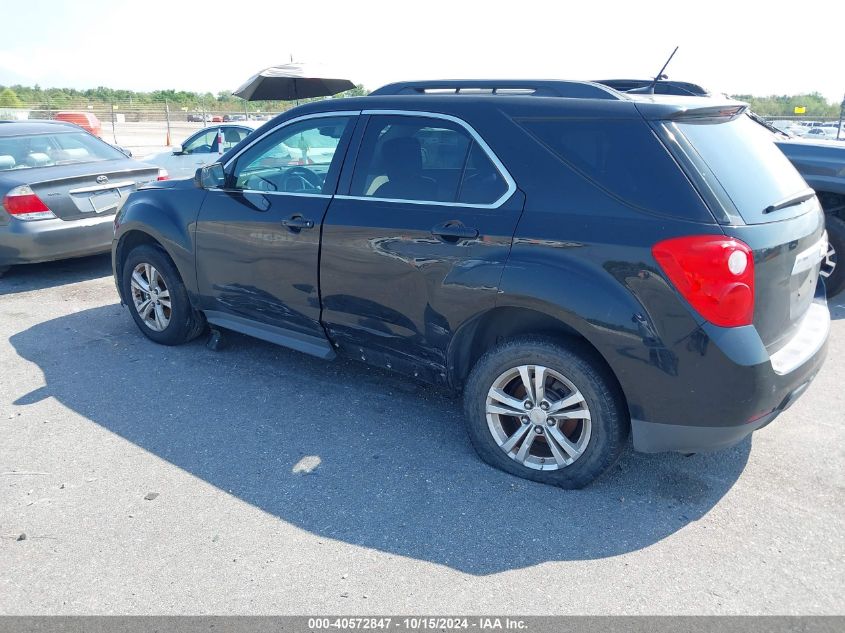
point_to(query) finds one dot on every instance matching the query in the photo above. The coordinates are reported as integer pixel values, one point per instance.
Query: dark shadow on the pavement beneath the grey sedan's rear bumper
(28, 277)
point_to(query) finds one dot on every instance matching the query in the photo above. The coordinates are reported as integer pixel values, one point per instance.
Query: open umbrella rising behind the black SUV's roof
(290, 82)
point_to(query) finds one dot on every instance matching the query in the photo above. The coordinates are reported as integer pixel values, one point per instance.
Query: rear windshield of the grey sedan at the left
(48, 150)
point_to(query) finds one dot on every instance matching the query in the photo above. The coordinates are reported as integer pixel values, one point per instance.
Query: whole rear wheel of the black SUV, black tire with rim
(595, 440)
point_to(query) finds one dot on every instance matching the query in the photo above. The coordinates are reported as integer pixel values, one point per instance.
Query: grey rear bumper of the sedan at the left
(46, 240)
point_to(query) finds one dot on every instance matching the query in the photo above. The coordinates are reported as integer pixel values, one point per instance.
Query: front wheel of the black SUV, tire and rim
(172, 324)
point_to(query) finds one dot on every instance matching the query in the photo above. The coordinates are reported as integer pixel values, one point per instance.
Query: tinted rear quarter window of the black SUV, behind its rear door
(623, 157)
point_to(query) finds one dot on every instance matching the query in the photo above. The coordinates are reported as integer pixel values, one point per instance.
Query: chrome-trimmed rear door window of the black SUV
(426, 160)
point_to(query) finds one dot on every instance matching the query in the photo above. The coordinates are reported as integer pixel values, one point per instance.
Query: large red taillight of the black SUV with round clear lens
(714, 274)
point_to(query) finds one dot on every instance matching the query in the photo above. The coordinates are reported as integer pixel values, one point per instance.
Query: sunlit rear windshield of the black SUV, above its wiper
(750, 168)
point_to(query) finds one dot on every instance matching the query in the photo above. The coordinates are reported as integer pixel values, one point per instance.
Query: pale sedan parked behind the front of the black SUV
(199, 149)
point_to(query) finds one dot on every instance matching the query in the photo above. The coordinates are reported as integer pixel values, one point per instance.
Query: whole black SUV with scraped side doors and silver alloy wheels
(581, 263)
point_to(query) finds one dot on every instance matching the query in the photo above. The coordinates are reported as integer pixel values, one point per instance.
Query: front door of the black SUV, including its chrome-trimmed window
(258, 232)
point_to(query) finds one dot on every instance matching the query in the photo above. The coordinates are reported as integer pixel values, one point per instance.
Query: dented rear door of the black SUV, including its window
(417, 244)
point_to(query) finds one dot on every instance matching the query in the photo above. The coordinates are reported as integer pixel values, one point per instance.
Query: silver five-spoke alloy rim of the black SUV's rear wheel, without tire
(538, 417)
